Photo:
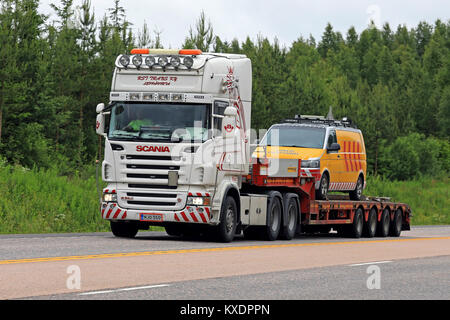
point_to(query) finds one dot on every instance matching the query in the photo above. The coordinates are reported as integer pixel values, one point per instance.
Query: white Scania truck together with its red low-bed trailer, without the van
(177, 155)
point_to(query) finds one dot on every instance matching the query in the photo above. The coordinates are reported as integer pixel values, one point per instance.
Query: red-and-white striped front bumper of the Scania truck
(190, 214)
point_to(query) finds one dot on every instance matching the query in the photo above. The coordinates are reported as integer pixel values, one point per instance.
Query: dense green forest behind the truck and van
(393, 82)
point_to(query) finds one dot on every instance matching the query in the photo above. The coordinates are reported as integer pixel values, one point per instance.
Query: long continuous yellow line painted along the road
(150, 253)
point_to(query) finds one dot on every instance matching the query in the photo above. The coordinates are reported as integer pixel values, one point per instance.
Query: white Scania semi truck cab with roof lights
(176, 141)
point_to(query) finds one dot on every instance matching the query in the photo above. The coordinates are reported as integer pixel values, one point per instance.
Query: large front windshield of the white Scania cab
(159, 122)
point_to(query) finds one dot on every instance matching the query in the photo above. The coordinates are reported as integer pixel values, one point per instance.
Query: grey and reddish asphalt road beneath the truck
(156, 266)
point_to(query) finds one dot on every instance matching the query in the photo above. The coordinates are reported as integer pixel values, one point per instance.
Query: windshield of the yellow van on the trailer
(294, 136)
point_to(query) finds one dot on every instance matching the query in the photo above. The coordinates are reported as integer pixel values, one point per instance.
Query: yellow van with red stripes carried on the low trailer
(332, 151)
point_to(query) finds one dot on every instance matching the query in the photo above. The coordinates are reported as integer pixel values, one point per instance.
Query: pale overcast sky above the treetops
(286, 20)
